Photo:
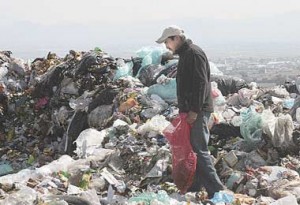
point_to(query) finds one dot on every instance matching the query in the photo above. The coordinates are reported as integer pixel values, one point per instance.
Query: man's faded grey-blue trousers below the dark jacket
(205, 175)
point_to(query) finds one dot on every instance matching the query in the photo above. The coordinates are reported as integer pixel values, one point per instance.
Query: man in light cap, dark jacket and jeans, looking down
(194, 98)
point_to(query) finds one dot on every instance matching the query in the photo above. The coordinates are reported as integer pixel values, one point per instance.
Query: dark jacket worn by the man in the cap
(193, 79)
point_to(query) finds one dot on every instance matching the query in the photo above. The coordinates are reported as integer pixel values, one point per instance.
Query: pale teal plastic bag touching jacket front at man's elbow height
(166, 91)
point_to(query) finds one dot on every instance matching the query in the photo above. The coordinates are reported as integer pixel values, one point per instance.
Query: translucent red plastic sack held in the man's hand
(184, 159)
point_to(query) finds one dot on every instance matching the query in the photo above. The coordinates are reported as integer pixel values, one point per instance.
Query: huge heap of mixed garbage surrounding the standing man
(88, 129)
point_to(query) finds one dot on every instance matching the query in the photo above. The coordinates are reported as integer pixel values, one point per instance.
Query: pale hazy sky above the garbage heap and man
(121, 25)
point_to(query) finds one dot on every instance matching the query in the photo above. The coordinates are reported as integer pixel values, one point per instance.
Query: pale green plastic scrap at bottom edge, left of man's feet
(148, 197)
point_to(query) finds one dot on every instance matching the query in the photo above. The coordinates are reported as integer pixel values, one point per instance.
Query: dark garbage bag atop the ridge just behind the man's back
(228, 84)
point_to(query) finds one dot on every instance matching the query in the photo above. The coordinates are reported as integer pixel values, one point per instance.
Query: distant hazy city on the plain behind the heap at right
(264, 71)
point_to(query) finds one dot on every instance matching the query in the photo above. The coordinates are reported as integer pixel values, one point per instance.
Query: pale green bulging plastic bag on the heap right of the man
(251, 127)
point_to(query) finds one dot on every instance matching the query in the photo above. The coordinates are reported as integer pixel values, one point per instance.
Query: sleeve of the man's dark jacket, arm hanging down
(199, 82)
